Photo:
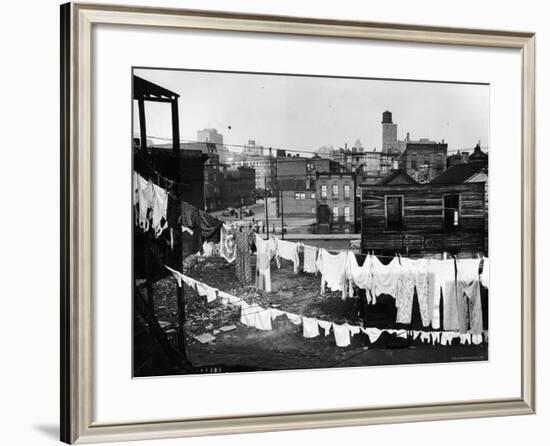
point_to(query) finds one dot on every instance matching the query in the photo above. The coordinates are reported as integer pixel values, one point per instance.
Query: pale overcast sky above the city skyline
(304, 113)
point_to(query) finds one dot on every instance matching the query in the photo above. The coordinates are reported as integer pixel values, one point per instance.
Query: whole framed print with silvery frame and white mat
(256, 208)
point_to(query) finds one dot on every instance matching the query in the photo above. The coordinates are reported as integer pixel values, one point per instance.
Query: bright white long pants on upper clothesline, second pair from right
(442, 282)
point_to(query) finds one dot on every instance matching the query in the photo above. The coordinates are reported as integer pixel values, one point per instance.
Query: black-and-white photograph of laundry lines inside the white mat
(285, 221)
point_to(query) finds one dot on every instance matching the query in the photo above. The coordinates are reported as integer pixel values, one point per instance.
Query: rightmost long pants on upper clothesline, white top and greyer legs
(468, 286)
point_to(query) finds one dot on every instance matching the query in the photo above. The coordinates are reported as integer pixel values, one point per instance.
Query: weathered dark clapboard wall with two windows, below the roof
(420, 219)
